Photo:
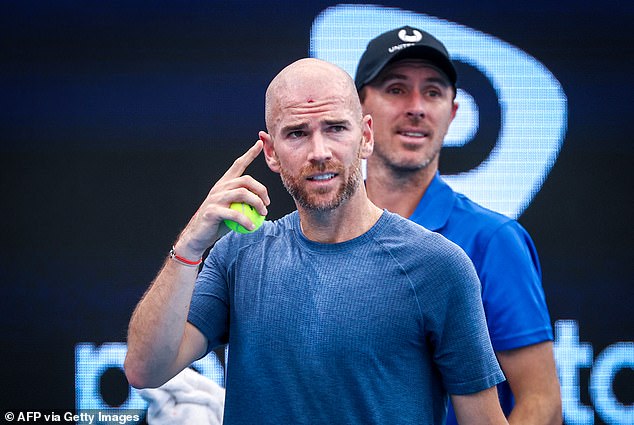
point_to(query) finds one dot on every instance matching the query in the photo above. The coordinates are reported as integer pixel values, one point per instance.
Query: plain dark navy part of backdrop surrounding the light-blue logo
(117, 117)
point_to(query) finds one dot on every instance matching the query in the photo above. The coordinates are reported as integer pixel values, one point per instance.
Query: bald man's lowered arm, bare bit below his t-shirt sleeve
(481, 408)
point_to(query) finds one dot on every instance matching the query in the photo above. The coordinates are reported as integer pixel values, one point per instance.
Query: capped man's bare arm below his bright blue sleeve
(532, 376)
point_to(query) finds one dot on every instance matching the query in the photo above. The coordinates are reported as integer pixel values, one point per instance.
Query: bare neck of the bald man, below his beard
(348, 221)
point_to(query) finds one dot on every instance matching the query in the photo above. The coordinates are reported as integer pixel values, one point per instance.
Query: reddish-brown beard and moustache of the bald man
(315, 201)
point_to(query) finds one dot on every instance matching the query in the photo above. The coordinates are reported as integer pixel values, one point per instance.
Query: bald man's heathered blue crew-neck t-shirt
(377, 329)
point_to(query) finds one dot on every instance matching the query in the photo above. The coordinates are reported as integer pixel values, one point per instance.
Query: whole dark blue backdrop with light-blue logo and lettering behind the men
(116, 118)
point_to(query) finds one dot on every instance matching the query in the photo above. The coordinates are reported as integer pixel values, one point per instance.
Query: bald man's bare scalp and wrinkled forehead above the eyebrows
(307, 87)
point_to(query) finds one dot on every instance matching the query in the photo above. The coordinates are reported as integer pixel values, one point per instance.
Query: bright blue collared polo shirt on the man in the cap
(506, 261)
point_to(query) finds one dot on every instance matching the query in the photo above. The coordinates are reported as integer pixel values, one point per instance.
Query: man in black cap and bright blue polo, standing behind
(407, 83)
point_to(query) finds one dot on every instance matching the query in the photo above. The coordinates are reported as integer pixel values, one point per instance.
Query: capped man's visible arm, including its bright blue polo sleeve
(518, 315)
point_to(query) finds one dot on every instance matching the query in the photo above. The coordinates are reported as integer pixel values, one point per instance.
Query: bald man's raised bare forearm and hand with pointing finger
(160, 340)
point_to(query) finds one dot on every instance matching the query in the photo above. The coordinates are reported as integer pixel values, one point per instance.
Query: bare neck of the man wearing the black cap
(397, 191)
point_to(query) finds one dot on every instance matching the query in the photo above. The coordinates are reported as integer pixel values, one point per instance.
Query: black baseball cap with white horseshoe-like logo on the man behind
(401, 43)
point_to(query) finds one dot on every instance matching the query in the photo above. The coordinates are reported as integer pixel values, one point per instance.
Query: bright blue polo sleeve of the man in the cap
(513, 296)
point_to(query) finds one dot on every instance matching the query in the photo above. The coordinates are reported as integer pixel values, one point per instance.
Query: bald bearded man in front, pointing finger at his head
(339, 312)
